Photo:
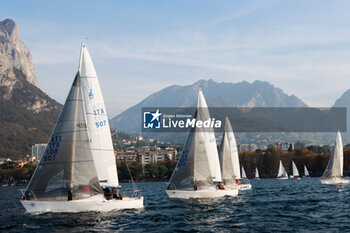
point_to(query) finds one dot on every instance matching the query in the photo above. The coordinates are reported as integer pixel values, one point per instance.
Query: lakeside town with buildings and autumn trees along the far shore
(147, 159)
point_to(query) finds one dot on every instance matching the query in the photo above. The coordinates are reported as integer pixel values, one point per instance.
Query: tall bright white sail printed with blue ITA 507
(97, 120)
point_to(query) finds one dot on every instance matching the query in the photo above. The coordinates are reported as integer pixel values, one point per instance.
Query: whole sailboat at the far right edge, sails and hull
(334, 170)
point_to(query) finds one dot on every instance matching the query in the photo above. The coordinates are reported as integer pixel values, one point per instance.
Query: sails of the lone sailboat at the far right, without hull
(335, 165)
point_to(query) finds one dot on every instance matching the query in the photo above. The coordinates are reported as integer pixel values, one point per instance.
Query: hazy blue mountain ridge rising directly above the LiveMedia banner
(242, 94)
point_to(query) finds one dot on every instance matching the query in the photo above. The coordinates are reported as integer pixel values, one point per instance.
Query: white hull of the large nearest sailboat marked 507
(96, 203)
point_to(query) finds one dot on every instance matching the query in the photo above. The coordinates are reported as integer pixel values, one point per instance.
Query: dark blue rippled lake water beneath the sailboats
(271, 206)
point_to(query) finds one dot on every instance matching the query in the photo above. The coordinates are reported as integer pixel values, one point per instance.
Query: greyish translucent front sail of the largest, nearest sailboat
(66, 170)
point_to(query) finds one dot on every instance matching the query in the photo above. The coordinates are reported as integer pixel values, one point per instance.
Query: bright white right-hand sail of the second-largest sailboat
(210, 141)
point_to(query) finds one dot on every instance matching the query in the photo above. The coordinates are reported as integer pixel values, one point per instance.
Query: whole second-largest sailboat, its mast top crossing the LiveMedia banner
(198, 169)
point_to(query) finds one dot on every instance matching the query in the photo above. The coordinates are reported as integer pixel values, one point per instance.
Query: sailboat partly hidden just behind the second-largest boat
(229, 161)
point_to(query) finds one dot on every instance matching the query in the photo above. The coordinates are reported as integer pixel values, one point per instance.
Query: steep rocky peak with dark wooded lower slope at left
(27, 114)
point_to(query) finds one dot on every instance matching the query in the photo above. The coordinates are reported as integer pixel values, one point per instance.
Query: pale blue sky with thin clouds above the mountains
(140, 47)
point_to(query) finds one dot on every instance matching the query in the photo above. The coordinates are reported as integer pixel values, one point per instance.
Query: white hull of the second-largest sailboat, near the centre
(207, 193)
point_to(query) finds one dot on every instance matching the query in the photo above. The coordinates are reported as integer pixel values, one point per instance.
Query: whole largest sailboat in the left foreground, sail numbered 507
(79, 157)
